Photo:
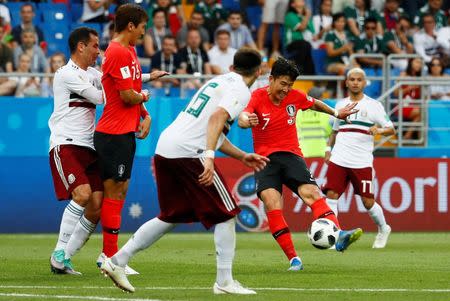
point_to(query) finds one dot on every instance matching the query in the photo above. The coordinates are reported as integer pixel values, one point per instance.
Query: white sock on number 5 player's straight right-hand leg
(225, 241)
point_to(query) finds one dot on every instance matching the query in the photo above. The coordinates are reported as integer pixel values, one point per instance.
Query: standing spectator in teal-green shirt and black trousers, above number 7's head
(299, 32)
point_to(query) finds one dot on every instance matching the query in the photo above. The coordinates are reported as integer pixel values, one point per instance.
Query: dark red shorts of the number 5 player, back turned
(183, 200)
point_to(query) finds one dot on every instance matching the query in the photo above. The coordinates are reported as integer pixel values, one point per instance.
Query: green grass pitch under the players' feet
(414, 266)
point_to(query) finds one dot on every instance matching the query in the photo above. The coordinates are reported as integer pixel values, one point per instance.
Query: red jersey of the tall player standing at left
(121, 71)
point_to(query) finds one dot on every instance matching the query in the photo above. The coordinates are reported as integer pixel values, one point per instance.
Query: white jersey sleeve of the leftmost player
(82, 87)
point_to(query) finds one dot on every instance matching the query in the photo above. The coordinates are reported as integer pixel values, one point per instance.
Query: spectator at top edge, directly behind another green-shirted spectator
(358, 14)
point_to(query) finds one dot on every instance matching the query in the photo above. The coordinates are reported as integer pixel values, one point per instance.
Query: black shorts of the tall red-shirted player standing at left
(116, 154)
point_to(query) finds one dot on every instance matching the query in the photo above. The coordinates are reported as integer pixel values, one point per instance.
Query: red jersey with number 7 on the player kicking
(277, 131)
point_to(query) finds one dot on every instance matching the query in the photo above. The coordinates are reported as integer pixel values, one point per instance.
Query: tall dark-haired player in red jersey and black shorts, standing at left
(120, 123)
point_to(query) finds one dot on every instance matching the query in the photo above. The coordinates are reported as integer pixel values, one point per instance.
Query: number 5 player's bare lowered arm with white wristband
(215, 126)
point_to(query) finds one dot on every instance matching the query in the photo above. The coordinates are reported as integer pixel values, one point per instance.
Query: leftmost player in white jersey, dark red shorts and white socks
(73, 161)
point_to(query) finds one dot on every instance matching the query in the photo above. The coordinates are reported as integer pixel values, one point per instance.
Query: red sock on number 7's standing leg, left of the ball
(280, 231)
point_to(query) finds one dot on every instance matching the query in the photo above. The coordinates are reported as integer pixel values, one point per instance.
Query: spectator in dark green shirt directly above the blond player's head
(369, 42)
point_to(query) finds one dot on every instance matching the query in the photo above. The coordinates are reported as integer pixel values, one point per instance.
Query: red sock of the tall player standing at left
(111, 219)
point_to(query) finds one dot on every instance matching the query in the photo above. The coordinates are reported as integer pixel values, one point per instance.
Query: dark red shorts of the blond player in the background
(338, 178)
